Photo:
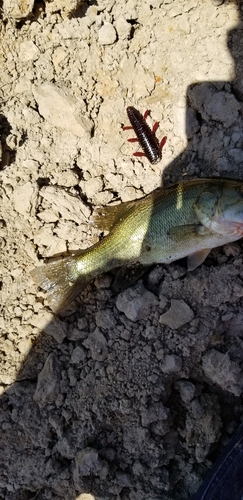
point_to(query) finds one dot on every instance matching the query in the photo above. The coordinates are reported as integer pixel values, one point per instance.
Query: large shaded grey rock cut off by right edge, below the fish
(222, 371)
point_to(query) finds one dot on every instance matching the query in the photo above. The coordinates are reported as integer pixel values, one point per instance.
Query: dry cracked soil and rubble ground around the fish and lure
(128, 396)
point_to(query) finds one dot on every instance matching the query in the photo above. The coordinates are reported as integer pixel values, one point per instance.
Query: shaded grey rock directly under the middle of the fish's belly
(136, 302)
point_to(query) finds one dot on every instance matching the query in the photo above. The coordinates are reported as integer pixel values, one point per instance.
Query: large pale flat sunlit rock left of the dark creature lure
(60, 110)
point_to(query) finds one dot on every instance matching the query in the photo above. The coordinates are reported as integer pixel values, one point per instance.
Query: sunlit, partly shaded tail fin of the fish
(59, 278)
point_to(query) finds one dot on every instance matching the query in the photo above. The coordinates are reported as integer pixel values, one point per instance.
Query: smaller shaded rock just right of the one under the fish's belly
(178, 315)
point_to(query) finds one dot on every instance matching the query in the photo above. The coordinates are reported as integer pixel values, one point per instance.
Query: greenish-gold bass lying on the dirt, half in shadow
(187, 219)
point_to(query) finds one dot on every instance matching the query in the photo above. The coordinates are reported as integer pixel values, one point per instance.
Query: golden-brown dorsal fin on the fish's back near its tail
(106, 217)
